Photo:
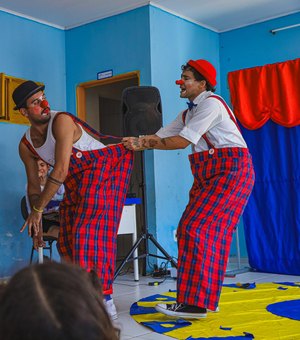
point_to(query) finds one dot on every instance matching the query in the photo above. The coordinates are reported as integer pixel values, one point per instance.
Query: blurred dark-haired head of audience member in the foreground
(54, 301)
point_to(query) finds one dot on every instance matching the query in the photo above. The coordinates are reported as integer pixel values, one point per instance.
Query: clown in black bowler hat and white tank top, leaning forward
(88, 227)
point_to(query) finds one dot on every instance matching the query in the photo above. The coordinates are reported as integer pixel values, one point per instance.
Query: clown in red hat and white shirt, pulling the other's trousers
(223, 180)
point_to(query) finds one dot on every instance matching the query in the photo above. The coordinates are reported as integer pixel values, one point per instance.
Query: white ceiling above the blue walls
(217, 15)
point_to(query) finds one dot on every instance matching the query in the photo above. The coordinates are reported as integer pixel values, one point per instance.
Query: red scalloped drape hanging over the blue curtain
(266, 92)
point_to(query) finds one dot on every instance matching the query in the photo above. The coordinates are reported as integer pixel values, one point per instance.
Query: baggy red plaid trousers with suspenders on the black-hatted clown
(95, 193)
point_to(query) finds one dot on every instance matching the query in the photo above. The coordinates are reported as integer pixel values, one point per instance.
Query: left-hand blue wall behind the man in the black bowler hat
(29, 50)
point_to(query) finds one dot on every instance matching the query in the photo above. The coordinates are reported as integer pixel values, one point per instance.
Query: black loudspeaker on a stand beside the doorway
(141, 106)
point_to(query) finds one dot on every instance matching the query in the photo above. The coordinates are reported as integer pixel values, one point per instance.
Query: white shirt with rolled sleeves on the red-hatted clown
(209, 116)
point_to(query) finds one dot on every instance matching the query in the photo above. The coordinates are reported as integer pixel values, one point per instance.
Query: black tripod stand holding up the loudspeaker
(146, 237)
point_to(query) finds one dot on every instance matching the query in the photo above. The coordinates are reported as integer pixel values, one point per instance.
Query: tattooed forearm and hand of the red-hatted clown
(155, 142)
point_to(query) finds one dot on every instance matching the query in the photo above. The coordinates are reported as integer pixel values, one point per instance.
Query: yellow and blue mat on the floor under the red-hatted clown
(268, 311)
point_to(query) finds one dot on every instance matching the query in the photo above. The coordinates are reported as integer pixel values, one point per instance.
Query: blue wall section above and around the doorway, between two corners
(120, 43)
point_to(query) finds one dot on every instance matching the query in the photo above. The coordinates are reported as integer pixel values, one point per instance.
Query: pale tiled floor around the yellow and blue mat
(126, 292)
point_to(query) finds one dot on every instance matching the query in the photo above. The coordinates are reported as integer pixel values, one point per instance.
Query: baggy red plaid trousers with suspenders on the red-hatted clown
(223, 181)
